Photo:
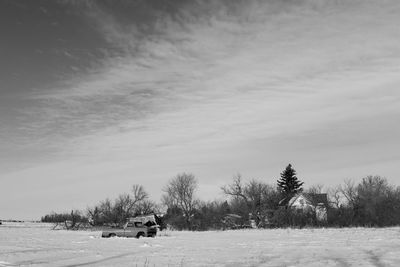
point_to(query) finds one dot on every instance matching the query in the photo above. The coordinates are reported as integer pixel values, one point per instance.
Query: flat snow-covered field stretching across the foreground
(37, 245)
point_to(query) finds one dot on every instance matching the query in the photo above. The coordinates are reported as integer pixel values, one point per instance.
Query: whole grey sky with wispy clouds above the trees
(96, 96)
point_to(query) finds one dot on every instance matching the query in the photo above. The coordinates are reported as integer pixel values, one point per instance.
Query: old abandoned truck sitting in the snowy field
(131, 229)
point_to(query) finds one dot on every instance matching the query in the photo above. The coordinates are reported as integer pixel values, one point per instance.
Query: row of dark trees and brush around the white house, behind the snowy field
(372, 202)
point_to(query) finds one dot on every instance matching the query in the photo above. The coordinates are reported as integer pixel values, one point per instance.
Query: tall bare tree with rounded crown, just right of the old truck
(179, 192)
